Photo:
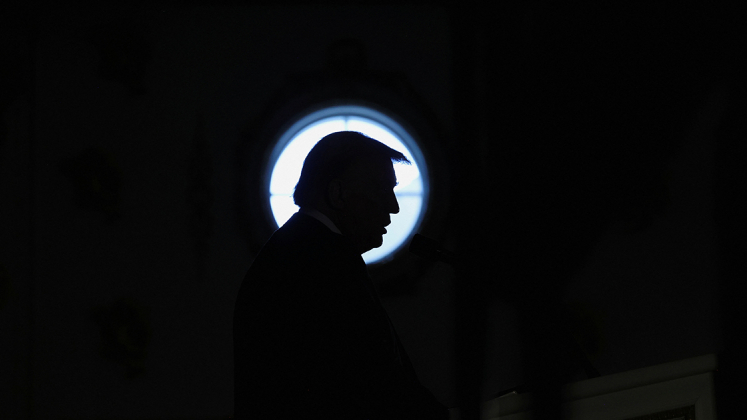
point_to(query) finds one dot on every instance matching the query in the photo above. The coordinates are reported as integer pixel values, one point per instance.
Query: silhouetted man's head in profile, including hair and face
(350, 178)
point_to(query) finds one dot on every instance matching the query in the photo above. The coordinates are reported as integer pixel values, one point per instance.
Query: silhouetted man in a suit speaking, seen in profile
(311, 339)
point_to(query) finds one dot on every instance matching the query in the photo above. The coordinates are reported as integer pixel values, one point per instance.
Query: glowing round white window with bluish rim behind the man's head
(286, 162)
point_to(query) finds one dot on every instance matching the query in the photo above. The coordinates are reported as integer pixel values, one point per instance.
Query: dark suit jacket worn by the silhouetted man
(311, 339)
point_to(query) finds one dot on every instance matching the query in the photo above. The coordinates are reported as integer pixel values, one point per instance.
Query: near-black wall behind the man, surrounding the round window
(582, 148)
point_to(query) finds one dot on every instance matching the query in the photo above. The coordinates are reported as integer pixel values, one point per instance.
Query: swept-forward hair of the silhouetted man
(331, 156)
